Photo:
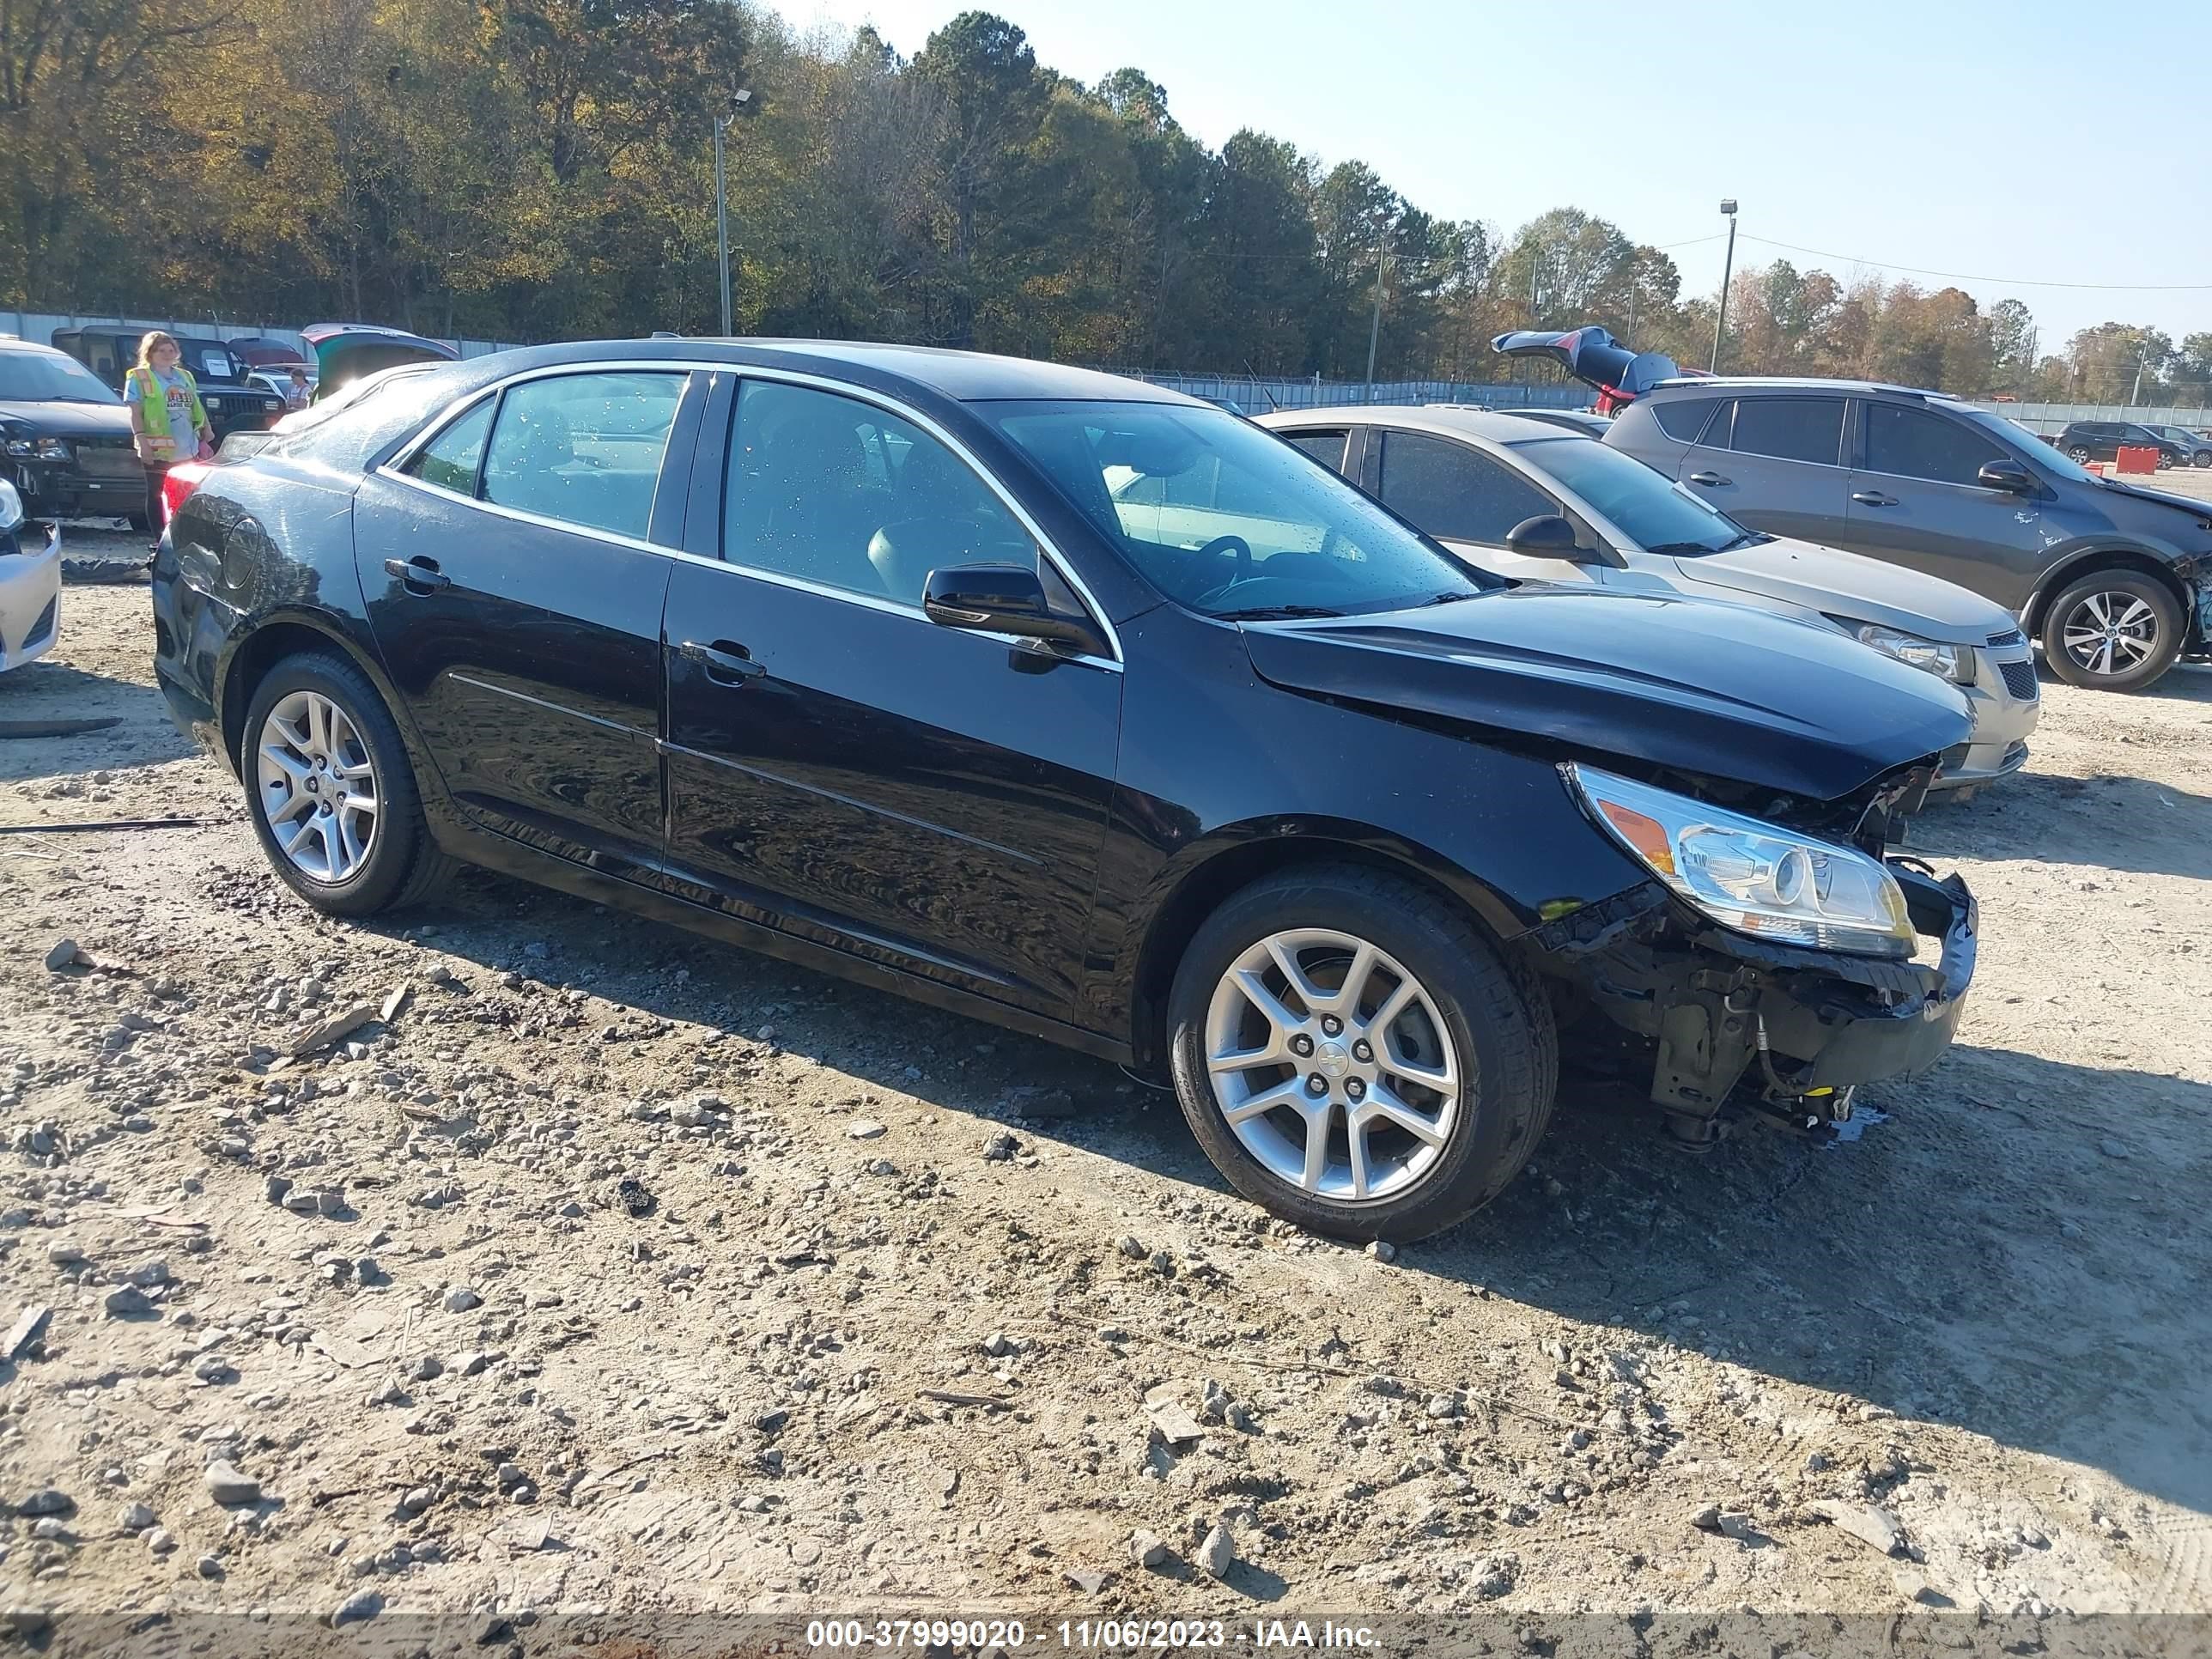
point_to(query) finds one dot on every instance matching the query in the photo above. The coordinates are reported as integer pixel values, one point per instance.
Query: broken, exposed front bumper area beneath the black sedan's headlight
(1786, 1027)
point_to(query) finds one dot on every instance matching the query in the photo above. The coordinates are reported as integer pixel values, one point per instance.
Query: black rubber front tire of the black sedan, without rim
(1494, 1014)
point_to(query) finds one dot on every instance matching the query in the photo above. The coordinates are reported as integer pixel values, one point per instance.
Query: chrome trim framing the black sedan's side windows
(401, 459)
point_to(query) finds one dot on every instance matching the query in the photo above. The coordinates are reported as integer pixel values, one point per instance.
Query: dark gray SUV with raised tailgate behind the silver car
(2114, 581)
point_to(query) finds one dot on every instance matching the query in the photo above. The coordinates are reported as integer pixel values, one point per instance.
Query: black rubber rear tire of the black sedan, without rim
(404, 864)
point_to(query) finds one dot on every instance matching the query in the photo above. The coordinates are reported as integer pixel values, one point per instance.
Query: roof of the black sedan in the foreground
(961, 377)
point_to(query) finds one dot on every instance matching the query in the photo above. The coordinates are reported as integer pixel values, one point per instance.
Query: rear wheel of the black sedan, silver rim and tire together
(331, 791)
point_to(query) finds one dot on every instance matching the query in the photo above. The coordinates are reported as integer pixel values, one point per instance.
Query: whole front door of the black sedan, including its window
(848, 771)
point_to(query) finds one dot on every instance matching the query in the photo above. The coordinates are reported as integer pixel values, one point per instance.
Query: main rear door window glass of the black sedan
(583, 448)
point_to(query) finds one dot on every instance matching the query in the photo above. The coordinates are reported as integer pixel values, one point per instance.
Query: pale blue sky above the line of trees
(2021, 140)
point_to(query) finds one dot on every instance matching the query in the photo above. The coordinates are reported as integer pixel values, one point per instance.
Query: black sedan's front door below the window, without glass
(919, 793)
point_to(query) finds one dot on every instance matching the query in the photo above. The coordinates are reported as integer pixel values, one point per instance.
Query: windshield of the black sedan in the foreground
(1229, 519)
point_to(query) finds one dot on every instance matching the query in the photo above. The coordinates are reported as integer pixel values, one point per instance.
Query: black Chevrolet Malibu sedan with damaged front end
(1085, 709)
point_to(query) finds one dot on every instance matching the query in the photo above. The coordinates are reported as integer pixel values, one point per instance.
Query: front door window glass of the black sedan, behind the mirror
(839, 492)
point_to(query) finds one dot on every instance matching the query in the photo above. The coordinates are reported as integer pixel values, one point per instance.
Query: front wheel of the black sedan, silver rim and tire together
(1359, 1058)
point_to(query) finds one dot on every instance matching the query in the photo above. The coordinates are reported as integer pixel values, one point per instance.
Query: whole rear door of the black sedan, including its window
(530, 654)
